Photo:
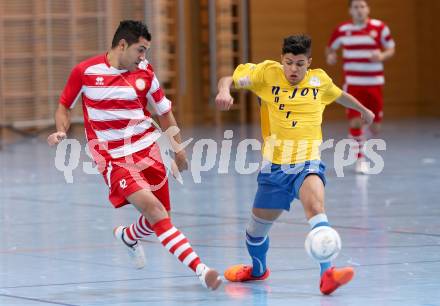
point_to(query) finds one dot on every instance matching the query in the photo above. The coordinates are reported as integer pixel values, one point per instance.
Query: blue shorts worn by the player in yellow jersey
(278, 185)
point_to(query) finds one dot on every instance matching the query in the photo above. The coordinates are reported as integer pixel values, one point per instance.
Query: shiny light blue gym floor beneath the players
(56, 244)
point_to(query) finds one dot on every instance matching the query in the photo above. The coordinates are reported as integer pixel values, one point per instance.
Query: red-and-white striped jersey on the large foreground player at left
(117, 122)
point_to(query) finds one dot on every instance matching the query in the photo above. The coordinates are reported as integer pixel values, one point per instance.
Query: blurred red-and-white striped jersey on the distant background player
(358, 42)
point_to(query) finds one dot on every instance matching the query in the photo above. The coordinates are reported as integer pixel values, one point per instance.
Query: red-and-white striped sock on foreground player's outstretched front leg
(176, 243)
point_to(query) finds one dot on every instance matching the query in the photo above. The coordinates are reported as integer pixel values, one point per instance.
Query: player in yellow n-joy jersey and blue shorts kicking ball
(293, 98)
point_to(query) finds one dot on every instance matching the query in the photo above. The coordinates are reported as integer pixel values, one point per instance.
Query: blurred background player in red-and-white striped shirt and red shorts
(366, 43)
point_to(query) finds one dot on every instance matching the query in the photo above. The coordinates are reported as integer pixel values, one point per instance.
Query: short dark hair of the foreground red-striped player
(131, 31)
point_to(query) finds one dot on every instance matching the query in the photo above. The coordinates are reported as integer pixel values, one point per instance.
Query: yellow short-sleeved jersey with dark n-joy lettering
(291, 115)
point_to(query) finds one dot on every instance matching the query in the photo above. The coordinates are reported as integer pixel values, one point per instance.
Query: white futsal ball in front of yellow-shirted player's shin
(323, 243)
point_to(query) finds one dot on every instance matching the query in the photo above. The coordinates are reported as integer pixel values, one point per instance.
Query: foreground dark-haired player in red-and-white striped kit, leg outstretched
(116, 88)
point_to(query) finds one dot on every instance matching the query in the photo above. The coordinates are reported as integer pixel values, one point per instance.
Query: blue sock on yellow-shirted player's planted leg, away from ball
(257, 248)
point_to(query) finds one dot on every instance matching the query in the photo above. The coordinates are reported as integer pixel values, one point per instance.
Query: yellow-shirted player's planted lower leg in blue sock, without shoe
(257, 239)
